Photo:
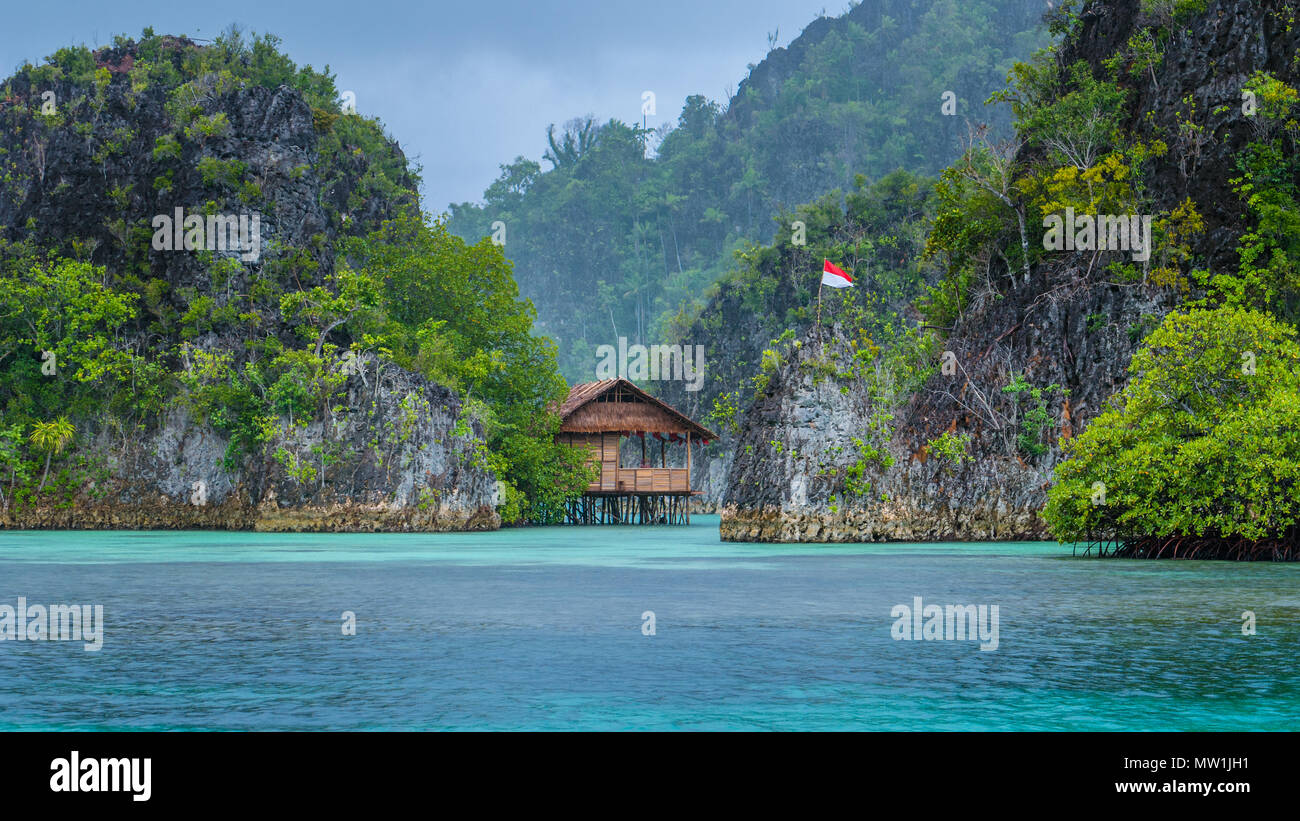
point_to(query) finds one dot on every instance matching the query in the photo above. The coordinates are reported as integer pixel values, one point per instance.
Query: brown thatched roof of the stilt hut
(618, 406)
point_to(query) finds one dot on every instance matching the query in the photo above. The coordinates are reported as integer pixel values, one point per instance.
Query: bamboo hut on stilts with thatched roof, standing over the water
(600, 416)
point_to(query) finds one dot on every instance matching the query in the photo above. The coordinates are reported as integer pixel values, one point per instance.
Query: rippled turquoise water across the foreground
(543, 629)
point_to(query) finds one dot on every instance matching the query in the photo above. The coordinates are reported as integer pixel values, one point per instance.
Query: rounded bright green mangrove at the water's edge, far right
(1203, 444)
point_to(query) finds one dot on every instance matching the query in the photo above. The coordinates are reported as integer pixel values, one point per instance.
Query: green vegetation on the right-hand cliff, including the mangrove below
(1199, 454)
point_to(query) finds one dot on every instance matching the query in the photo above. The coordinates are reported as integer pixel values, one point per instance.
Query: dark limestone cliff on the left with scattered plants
(90, 160)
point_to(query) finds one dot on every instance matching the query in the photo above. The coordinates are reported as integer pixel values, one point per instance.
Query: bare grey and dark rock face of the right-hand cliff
(1067, 324)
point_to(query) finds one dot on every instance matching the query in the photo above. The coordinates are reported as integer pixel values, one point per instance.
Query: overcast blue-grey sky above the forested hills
(466, 86)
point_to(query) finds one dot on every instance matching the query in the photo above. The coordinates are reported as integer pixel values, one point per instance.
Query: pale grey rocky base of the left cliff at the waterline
(401, 459)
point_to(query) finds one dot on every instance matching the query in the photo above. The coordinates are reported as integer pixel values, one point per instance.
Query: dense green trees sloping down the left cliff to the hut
(452, 311)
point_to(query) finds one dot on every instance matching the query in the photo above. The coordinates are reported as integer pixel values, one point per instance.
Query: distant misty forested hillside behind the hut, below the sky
(627, 229)
